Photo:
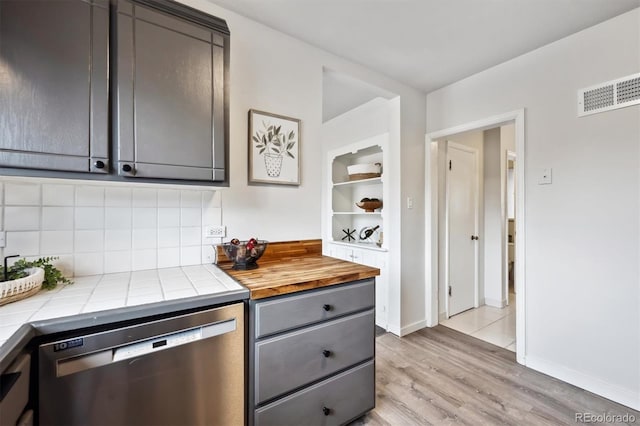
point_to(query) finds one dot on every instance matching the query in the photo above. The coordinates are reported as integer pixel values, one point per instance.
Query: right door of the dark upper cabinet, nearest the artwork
(170, 110)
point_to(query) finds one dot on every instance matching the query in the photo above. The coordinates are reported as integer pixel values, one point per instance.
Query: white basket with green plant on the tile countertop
(25, 278)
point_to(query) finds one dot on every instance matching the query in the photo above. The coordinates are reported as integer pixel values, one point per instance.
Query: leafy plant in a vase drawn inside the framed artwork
(274, 144)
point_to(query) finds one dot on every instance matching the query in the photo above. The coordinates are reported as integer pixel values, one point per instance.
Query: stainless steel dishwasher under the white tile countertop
(183, 370)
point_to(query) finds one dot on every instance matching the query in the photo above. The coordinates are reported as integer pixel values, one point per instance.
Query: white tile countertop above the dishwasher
(98, 293)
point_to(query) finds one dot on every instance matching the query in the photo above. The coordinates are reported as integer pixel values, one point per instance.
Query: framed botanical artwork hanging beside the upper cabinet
(274, 148)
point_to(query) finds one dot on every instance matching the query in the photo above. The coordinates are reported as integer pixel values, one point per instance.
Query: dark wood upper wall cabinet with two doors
(162, 66)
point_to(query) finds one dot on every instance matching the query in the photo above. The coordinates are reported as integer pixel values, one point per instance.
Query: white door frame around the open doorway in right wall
(431, 217)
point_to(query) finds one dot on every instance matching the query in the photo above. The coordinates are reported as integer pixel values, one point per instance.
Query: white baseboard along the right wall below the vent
(600, 387)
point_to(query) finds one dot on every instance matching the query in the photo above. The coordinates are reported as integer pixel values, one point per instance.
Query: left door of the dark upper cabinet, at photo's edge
(53, 85)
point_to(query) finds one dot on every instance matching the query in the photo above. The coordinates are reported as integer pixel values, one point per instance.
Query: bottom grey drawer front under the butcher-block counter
(345, 396)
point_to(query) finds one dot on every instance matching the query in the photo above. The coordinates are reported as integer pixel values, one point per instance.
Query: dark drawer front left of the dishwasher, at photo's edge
(14, 402)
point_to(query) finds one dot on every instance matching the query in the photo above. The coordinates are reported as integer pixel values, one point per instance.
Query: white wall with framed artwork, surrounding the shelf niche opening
(293, 87)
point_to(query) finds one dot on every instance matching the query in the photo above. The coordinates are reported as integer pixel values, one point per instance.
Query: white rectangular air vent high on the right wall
(613, 94)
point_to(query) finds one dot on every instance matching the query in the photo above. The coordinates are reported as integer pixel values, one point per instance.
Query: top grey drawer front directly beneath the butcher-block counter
(287, 313)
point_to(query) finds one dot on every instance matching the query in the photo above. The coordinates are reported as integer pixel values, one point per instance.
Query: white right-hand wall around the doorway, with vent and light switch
(582, 232)
